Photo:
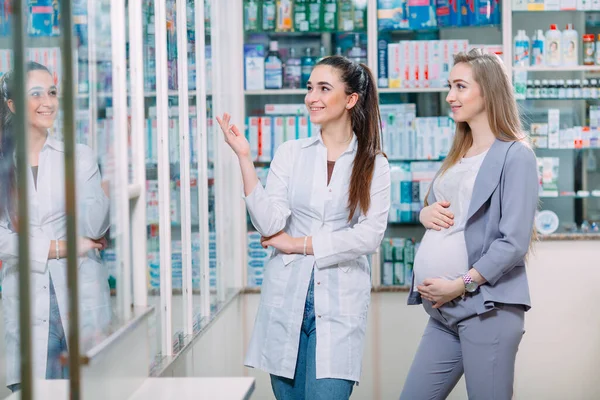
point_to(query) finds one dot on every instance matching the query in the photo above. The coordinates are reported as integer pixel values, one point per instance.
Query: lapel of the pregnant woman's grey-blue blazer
(488, 176)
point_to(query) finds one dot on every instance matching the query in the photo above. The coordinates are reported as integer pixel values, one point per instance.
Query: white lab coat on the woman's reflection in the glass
(48, 222)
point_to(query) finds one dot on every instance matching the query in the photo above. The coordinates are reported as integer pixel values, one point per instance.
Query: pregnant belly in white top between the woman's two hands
(441, 254)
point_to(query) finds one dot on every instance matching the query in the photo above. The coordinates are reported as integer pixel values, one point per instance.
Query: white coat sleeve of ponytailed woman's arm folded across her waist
(331, 248)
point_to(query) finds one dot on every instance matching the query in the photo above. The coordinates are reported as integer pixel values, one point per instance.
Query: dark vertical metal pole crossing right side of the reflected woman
(68, 88)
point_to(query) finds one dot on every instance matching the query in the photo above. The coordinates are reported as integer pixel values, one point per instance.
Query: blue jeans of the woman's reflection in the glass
(57, 344)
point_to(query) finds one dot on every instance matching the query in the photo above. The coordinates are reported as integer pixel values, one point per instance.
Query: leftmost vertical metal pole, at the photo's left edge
(21, 135)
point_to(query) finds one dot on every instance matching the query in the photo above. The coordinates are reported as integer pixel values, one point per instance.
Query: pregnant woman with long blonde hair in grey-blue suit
(469, 271)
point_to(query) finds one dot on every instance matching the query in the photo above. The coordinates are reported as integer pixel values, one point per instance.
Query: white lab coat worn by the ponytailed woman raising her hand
(298, 201)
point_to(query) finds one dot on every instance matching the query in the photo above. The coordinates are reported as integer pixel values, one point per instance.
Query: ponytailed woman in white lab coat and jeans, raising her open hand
(324, 209)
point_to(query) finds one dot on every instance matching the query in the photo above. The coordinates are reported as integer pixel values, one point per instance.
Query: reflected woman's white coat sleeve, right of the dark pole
(94, 205)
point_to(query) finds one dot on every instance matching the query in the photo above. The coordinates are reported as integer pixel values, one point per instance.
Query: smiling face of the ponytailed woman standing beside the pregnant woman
(326, 99)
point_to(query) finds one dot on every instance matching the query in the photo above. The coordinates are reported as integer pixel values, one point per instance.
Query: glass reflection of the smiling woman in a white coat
(47, 240)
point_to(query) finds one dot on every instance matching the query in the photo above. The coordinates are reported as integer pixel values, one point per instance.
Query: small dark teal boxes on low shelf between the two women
(398, 256)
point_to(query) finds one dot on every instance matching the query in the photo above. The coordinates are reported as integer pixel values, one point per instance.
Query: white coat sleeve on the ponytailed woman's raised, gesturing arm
(269, 207)
